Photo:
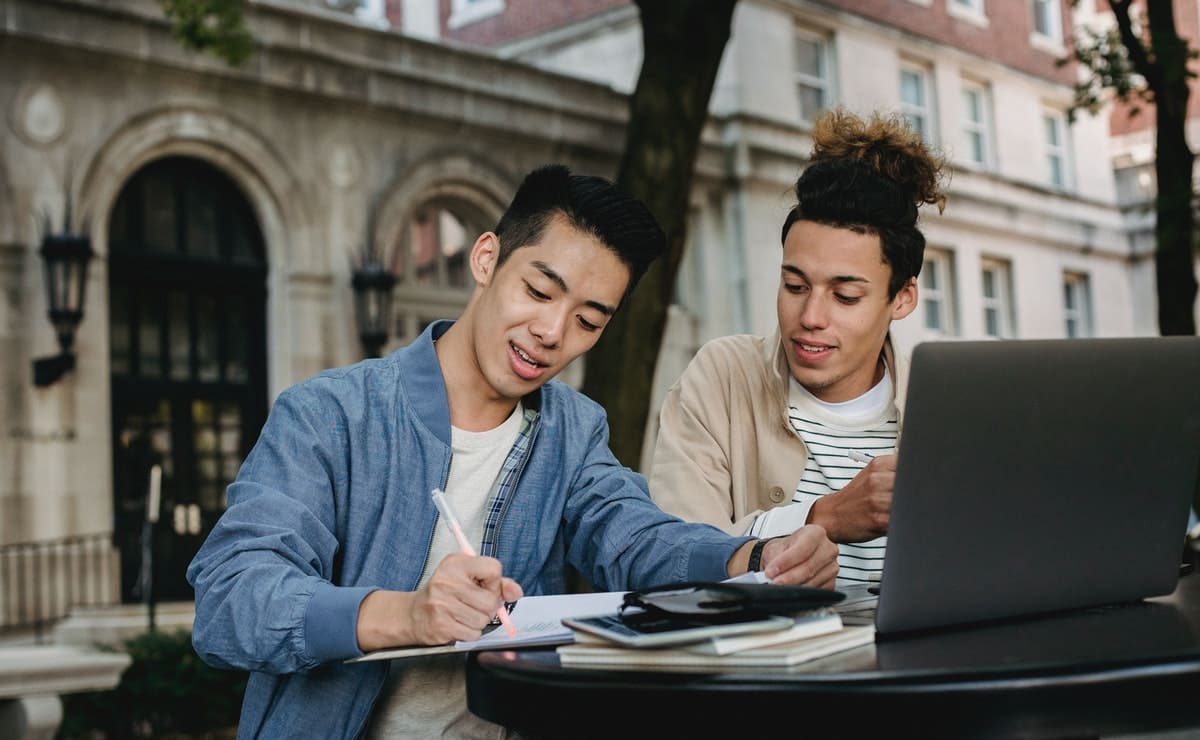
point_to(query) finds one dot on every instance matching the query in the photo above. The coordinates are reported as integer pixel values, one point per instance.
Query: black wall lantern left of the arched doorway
(65, 260)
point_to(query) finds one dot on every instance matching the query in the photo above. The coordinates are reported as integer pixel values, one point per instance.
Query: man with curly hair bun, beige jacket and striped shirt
(764, 435)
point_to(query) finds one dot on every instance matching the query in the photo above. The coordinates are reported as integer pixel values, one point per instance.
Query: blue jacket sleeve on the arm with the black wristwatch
(620, 539)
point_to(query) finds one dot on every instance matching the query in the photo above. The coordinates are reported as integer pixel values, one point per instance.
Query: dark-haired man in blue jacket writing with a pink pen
(332, 545)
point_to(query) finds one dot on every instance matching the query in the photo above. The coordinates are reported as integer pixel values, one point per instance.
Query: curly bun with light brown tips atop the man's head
(890, 146)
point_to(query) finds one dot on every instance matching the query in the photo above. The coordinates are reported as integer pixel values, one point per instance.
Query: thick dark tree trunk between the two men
(683, 43)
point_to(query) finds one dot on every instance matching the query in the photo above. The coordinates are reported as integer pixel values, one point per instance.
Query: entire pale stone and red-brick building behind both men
(229, 208)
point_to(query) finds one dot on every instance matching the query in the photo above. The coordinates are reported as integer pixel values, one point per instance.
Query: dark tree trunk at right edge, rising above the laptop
(1174, 262)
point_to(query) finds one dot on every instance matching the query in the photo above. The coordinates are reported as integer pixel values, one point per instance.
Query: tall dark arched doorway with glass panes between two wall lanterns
(188, 292)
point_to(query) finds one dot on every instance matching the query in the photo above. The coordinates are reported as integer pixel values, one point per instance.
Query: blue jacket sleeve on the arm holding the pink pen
(265, 594)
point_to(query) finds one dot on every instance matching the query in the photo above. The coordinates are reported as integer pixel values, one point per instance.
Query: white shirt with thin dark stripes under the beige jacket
(831, 431)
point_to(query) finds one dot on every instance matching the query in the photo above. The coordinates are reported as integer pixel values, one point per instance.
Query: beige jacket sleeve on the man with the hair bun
(692, 472)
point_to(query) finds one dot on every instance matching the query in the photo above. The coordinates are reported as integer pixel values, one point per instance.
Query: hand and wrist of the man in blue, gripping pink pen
(458, 603)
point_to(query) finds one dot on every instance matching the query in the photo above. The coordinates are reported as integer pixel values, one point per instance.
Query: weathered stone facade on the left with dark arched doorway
(227, 209)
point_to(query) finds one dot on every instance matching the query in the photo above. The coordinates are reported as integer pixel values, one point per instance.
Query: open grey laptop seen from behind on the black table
(1040, 476)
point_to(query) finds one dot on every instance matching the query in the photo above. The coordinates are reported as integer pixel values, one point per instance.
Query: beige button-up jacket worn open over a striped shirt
(727, 452)
